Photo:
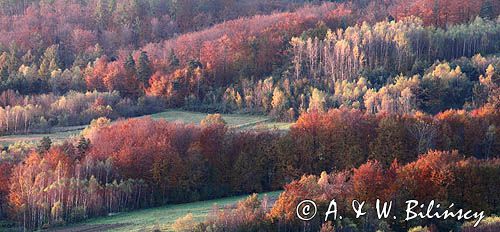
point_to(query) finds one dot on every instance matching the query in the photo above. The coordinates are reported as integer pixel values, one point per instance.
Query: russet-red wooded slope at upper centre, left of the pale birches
(228, 47)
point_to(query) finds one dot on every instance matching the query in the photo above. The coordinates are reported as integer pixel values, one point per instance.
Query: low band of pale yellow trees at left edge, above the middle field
(39, 113)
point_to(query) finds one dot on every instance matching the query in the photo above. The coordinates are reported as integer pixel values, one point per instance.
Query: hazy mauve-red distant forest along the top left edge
(114, 25)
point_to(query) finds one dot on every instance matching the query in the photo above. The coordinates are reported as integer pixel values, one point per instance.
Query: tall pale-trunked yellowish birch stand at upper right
(405, 47)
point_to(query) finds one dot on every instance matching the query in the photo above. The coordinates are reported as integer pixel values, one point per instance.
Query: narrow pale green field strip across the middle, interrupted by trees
(236, 121)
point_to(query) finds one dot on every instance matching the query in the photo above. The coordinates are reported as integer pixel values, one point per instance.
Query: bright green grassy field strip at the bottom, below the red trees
(156, 218)
